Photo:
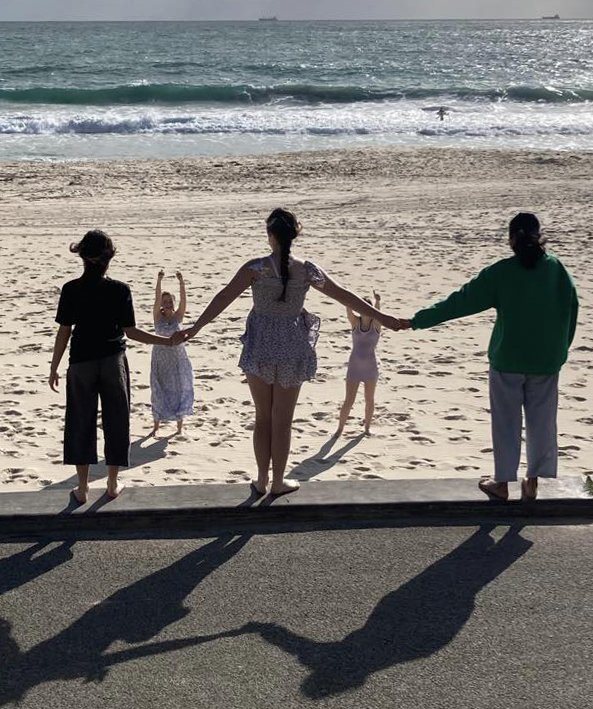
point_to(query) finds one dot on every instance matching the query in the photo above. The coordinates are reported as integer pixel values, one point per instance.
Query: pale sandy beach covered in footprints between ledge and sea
(414, 224)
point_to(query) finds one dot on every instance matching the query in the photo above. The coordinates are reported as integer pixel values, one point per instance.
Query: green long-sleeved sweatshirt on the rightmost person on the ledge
(536, 313)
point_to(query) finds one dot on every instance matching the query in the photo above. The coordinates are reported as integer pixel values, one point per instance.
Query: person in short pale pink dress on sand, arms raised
(362, 366)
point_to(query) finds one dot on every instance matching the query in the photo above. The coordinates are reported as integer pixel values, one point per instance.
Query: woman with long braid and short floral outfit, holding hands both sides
(279, 341)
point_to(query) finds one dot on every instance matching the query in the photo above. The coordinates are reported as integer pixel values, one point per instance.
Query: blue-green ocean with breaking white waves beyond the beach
(171, 89)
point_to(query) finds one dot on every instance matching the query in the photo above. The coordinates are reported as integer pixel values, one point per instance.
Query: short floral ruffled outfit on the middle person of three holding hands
(280, 336)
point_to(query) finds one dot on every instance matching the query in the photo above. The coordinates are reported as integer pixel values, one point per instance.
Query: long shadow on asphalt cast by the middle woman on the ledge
(134, 614)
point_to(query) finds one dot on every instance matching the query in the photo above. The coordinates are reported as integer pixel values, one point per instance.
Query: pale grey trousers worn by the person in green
(538, 395)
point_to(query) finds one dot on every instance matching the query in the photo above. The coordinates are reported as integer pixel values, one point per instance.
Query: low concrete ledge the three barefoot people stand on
(204, 506)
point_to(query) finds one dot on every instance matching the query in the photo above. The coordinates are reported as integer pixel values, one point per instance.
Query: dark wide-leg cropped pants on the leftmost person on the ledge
(107, 379)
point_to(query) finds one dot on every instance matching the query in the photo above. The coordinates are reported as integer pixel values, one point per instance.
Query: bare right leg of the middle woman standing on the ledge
(283, 405)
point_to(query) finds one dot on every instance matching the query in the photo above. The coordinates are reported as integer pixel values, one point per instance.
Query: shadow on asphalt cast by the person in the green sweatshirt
(415, 621)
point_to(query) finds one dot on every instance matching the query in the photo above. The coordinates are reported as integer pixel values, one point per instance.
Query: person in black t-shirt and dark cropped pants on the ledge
(101, 312)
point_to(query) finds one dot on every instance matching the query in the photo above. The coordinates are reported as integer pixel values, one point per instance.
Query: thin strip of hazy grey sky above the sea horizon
(285, 9)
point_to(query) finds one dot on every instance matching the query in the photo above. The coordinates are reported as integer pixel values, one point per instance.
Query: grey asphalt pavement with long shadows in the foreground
(478, 616)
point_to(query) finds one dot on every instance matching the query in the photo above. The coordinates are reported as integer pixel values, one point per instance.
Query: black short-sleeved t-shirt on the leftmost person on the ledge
(99, 309)
